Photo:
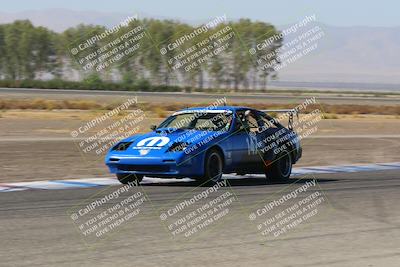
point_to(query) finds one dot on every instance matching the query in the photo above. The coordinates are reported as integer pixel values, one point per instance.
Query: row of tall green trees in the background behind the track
(28, 52)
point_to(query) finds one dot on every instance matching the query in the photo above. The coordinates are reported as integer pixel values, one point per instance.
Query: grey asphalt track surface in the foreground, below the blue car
(357, 225)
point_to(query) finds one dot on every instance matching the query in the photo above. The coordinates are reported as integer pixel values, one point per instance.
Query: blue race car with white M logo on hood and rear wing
(203, 143)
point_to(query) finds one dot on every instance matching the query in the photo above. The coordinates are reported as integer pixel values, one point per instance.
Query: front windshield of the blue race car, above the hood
(203, 121)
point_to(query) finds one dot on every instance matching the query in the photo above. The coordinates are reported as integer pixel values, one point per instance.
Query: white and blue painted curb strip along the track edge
(94, 182)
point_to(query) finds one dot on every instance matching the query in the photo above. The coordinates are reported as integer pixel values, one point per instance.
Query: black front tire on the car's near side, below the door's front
(213, 166)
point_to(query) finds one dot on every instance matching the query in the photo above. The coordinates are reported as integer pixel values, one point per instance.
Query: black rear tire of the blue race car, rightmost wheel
(281, 168)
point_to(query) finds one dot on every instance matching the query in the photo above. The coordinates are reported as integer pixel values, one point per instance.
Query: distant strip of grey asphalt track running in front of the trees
(174, 96)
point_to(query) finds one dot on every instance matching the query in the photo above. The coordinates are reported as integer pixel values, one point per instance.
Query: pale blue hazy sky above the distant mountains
(335, 12)
